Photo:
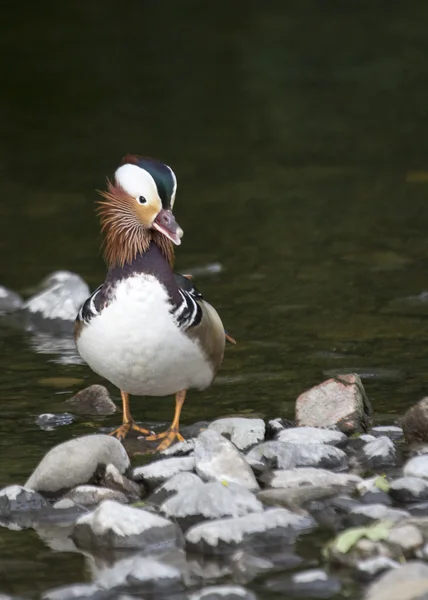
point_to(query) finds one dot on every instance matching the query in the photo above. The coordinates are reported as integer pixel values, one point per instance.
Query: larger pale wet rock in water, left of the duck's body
(60, 296)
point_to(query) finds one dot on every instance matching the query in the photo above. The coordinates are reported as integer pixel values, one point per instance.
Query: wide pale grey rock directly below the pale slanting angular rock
(212, 500)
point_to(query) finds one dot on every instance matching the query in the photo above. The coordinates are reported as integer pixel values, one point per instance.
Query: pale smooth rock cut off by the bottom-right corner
(408, 582)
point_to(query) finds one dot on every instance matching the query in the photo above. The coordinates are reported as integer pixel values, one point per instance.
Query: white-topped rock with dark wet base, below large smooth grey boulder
(116, 526)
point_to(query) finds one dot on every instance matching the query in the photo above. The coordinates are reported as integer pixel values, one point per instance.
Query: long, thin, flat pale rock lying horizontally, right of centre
(308, 476)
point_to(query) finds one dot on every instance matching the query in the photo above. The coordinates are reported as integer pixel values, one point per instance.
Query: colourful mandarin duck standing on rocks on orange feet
(147, 329)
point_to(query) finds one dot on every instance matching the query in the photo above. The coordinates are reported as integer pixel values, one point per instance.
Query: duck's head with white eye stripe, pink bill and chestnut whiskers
(137, 208)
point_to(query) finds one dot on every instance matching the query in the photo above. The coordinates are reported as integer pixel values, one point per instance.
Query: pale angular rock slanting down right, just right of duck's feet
(217, 459)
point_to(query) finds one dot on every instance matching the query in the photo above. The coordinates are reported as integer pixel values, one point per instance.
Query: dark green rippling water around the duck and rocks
(298, 134)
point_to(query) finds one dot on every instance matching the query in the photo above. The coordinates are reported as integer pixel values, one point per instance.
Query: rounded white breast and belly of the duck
(135, 343)
